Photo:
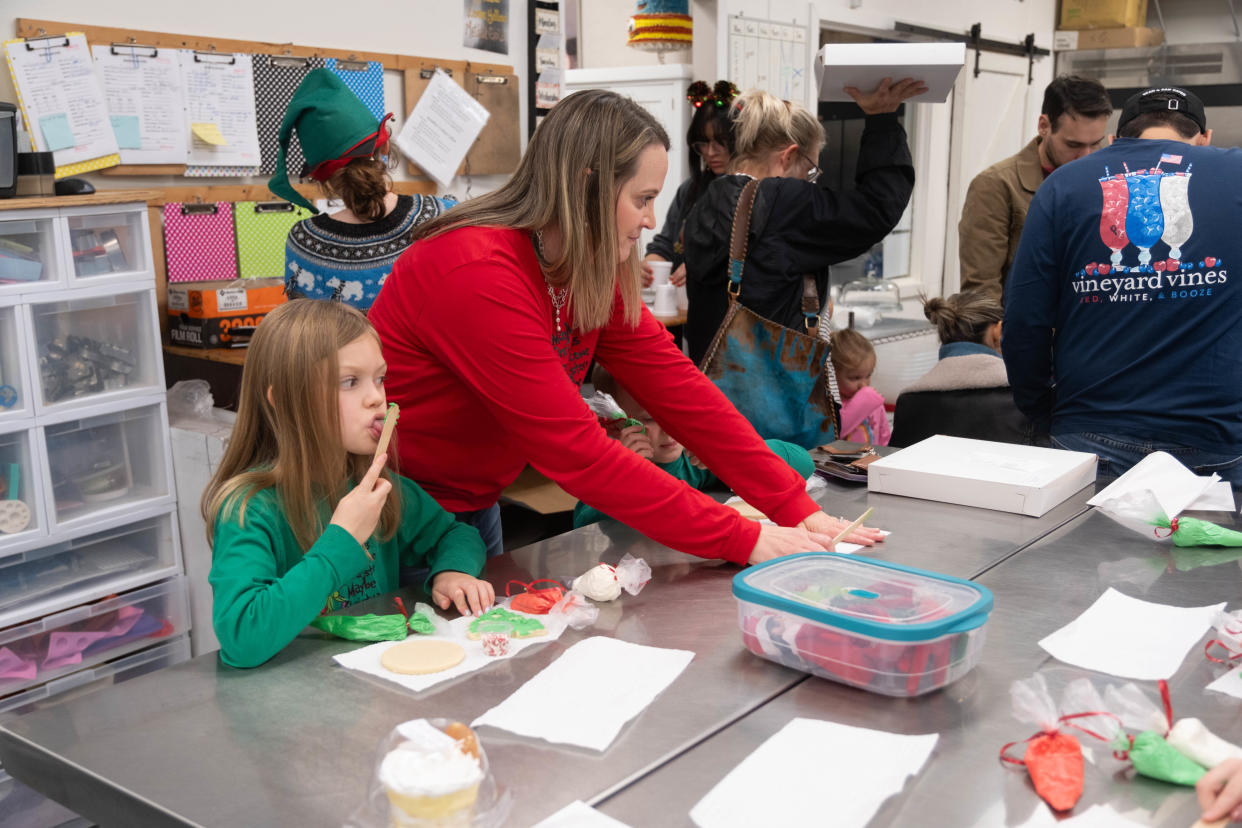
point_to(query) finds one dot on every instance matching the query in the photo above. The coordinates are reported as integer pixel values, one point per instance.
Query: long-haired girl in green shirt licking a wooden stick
(302, 521)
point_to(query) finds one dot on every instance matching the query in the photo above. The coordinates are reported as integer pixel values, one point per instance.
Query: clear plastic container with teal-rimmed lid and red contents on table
(882, 628)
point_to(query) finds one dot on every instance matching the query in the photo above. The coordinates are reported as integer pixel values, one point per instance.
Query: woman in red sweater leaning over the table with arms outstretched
(490, 322)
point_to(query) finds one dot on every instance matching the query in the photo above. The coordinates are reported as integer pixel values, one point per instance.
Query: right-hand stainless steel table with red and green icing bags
(964, 784)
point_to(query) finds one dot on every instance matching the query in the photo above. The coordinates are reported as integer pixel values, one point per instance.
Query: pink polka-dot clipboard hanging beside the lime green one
(201, 241)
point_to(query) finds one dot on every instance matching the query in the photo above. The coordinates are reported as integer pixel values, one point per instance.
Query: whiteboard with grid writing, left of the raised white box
(772, 56)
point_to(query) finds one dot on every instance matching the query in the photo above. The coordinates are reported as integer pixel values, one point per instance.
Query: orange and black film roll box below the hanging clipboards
(207, 315)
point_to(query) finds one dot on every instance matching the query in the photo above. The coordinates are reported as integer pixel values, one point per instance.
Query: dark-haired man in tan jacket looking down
(1072, 124)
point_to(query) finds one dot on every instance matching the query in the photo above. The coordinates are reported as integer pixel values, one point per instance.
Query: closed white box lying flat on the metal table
(1027, 480)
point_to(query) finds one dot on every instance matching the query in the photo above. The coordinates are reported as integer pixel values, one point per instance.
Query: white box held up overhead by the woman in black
(865, 65)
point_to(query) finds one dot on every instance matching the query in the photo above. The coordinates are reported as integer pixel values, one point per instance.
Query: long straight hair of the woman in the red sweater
(577, 162)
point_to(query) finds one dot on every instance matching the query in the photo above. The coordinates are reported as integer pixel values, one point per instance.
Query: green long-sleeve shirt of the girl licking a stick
(266, 590)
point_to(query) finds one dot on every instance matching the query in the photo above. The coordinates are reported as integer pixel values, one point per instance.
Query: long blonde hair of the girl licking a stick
(288, 435)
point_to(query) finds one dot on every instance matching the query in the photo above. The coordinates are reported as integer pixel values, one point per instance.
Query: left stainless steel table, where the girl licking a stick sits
(294, 742)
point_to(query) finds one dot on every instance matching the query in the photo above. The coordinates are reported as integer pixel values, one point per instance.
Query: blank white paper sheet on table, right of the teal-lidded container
(1132, 639)
